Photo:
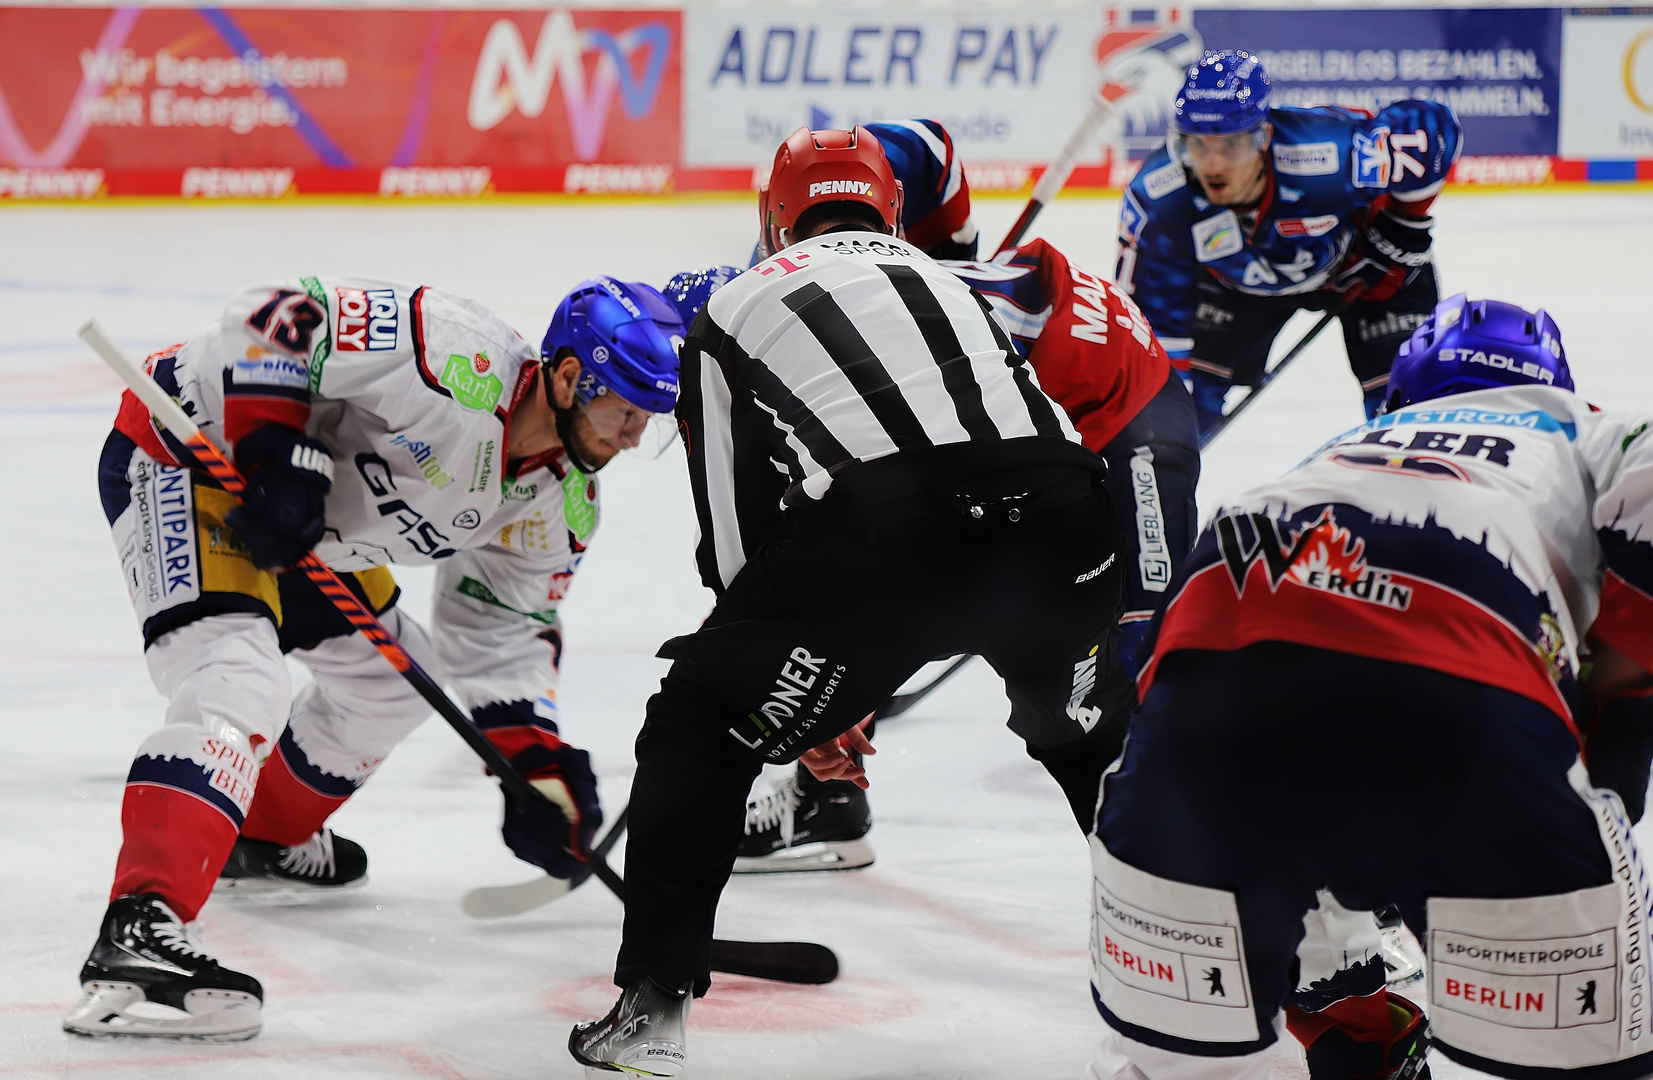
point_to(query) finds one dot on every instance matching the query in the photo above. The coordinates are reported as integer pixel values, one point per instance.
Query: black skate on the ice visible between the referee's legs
(807, 824)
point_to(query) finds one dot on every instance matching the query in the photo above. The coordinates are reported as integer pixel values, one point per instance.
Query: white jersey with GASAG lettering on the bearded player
(411, 389)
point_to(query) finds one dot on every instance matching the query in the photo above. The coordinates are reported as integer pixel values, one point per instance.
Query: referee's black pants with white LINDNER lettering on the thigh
(819, 629)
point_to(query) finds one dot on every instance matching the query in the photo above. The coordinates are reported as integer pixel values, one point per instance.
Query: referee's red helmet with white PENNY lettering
(817, 168)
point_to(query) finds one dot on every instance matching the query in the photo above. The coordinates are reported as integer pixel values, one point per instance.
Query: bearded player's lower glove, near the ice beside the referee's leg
(555, 836)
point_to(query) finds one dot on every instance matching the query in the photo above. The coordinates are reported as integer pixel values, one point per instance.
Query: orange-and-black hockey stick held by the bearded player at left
(788, 962)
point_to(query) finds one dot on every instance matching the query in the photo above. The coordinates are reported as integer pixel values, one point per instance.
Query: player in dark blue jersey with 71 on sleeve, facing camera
(1252, 214)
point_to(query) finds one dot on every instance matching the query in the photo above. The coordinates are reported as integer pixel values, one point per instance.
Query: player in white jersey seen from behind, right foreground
(1427, 581)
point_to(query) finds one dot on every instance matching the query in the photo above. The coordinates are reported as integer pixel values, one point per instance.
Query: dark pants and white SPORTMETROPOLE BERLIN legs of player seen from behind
(1260, 781)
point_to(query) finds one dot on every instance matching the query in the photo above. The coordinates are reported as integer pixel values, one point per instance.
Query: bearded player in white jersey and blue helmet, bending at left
(376, 424)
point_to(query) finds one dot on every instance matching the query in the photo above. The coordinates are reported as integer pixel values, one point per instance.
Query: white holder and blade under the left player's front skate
(121, 1011)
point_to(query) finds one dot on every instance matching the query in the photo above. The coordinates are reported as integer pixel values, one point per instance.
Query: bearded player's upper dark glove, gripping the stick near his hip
(285, 505)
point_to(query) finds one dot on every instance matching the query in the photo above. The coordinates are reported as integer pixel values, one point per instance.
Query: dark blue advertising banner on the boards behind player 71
(1498, 69)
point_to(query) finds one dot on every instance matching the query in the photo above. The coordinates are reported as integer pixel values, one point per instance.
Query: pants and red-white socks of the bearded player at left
(239, 753)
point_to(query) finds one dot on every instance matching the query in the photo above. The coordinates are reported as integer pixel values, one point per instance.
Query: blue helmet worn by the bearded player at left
(627, 338)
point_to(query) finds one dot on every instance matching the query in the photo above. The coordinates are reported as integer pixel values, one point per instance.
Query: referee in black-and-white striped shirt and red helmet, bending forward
(880, 482)
